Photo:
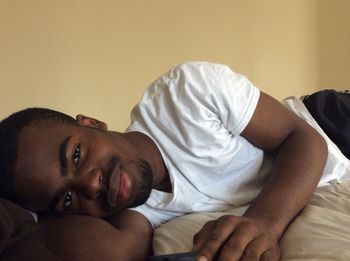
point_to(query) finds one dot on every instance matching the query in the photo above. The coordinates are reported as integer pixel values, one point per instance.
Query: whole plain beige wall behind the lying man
(97, 57)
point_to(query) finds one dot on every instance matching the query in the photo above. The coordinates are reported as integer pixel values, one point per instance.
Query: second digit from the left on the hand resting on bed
(218, 236)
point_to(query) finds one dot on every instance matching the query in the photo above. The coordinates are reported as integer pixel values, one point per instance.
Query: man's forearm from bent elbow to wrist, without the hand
(296, 172)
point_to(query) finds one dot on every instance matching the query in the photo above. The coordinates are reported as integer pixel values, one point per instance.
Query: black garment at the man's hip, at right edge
(331, 110)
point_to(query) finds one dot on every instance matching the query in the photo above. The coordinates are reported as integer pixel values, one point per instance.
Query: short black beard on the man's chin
(144, 187)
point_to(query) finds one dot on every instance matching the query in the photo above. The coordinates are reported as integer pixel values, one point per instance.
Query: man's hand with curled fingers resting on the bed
(235, 238)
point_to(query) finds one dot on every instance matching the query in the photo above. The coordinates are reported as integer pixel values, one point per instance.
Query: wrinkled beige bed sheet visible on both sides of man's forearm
(320, 232)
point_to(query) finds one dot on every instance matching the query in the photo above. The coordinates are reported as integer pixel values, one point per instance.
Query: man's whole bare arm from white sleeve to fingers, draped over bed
(300, 158)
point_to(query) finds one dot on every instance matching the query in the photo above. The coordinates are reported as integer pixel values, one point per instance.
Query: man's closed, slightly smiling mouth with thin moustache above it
(119, 187)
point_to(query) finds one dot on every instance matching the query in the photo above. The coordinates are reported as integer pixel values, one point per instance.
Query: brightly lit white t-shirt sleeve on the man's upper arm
(231, 96)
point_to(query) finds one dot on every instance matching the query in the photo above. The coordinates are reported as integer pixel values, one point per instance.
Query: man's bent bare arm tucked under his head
(76, 237)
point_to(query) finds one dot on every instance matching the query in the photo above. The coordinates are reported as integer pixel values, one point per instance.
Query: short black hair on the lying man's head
(10, 130)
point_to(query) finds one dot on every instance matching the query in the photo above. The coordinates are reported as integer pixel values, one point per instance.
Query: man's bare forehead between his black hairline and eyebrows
(37, 166)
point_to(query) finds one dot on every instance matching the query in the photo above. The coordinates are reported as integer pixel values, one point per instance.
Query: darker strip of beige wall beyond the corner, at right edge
(334, 44)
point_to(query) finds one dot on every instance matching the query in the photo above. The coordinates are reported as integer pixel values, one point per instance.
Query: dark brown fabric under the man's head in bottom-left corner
(20, 236)
